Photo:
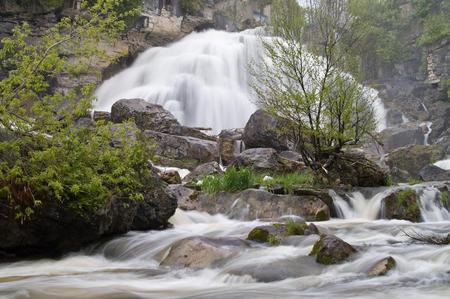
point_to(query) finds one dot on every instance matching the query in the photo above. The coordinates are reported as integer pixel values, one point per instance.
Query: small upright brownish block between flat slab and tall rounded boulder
(230, 144)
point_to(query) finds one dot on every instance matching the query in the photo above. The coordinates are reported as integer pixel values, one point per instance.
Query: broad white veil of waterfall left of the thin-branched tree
(202, 79)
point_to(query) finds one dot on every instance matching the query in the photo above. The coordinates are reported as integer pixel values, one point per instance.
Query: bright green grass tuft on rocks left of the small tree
(233, 180)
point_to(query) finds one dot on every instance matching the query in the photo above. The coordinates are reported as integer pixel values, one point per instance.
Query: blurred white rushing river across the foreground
(128, 266)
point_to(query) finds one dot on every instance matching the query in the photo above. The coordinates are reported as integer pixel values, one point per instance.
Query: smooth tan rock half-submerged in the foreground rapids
(201, 252)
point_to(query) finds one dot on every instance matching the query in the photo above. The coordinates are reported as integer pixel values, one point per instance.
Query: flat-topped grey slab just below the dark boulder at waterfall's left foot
(183, 147)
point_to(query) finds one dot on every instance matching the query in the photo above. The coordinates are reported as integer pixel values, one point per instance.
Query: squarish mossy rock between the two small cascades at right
(402, 204)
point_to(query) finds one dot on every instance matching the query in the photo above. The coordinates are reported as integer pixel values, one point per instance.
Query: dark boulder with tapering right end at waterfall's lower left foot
(148, 116)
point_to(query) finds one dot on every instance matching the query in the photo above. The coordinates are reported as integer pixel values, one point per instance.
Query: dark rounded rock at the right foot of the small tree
(355, 170)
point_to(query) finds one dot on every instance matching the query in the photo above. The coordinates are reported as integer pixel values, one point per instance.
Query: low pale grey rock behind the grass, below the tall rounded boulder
(260, 159)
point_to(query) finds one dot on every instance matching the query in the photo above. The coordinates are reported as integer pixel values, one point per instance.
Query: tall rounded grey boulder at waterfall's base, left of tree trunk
(264, 130)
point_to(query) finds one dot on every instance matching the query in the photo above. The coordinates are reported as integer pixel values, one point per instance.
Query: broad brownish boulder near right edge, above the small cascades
(415, 157)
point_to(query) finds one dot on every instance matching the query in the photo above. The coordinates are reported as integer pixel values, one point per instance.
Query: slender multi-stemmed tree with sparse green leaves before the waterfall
(301, 79)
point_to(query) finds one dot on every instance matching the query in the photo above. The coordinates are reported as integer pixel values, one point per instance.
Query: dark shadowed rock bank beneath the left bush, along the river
(54, 230)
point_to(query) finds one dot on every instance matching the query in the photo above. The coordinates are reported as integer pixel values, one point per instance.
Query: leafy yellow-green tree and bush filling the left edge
(44, 154)
